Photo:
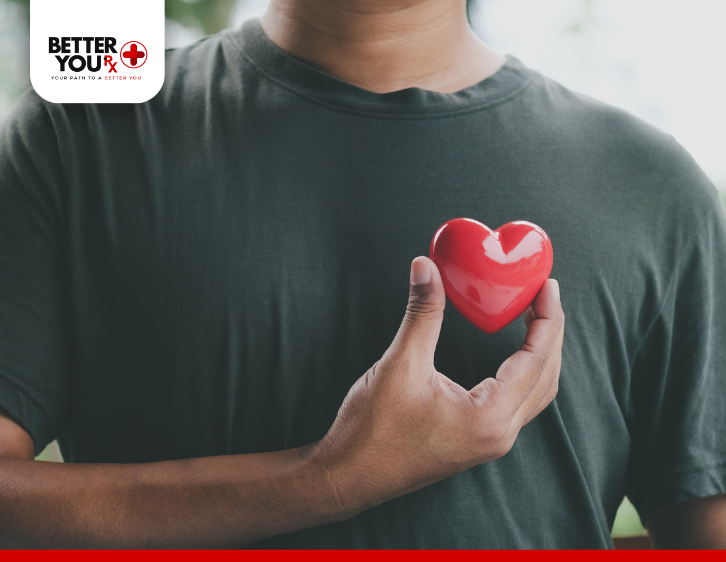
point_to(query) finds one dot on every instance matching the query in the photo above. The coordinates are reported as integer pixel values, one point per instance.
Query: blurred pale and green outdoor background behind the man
(662, 60)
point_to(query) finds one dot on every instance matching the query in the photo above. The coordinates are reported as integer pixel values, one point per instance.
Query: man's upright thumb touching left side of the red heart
(419, 331)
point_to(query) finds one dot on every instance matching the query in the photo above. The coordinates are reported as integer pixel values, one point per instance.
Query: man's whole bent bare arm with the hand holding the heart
(402, 426)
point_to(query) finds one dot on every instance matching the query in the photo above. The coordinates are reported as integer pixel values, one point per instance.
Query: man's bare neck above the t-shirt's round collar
(384, 45)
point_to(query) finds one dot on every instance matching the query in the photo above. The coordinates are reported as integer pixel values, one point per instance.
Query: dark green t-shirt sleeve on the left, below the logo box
(34, 316)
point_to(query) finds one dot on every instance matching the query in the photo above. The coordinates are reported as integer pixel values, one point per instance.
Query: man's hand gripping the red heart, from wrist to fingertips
(404, 425)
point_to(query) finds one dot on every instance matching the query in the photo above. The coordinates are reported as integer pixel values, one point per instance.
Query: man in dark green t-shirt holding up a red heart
(191, 287)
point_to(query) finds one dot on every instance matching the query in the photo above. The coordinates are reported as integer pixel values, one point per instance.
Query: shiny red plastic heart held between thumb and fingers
(491, 277)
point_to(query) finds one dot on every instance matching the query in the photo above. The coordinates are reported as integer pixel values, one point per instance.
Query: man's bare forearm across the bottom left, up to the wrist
(227, 501)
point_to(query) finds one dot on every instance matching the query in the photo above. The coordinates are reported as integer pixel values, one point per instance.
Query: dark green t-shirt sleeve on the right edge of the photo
(678, 389)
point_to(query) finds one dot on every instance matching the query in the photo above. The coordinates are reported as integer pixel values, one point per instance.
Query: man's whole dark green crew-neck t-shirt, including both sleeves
(209, 272)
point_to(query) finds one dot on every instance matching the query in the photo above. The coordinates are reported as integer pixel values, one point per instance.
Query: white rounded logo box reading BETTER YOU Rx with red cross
(86, 32)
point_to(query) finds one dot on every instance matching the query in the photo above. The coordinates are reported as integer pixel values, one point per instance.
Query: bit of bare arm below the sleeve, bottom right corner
(694, 524)
